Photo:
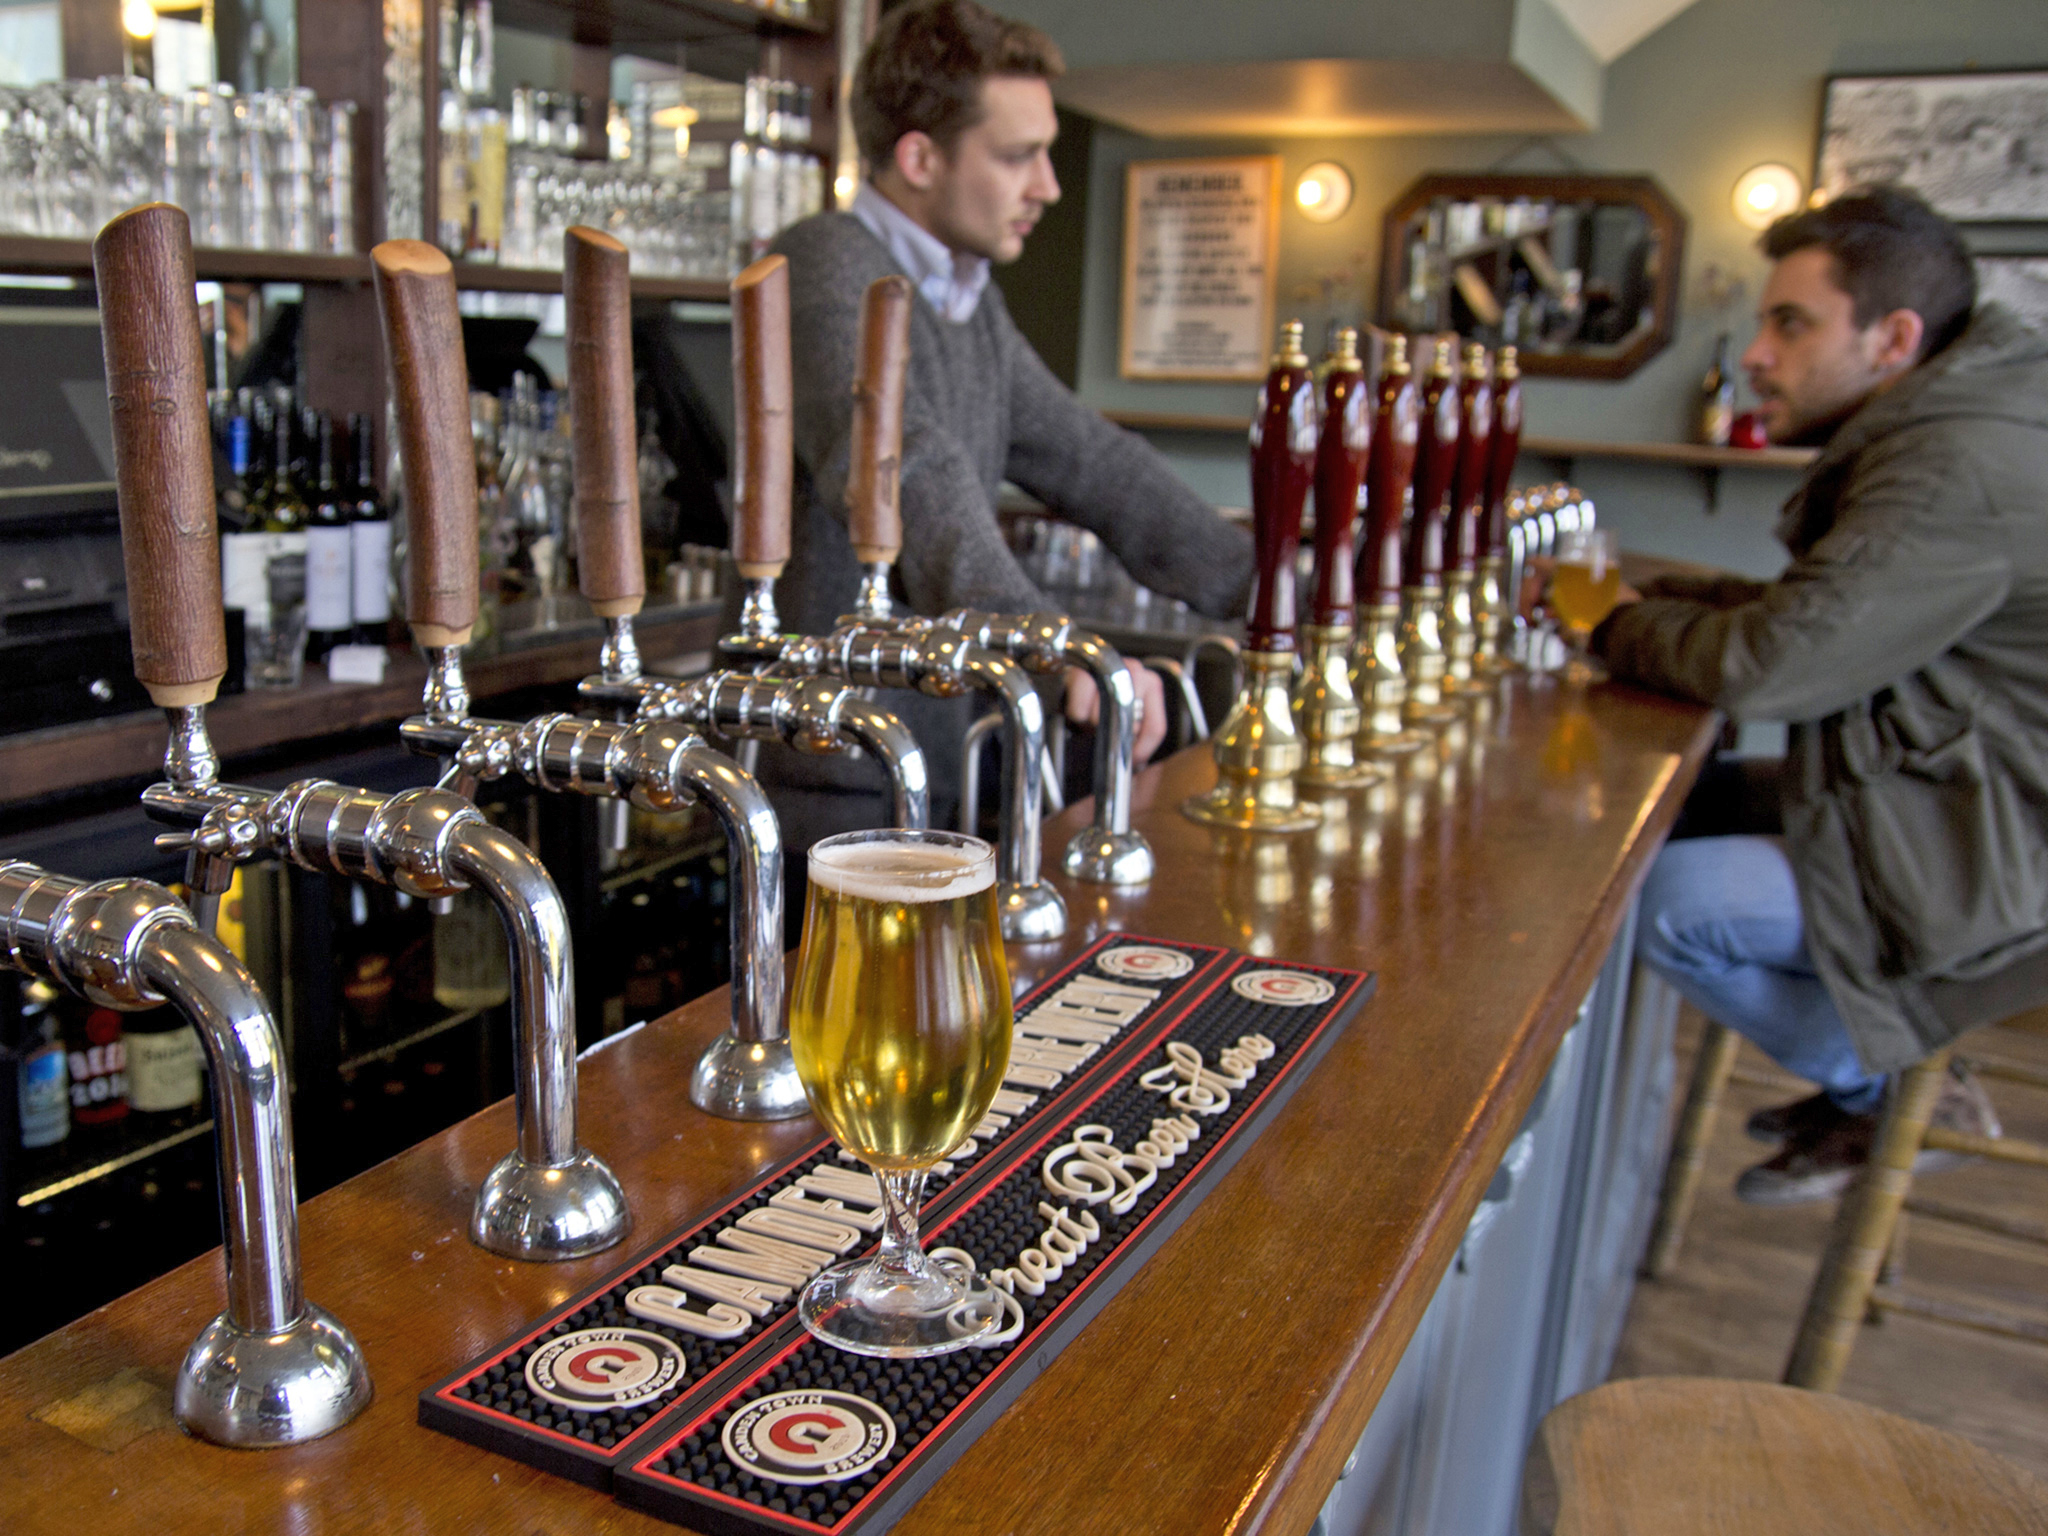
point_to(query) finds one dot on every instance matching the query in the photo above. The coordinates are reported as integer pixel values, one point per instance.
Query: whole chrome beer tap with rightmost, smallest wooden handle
(1107, 851)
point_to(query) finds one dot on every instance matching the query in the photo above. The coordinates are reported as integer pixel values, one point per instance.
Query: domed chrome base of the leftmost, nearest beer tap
(271, 1390)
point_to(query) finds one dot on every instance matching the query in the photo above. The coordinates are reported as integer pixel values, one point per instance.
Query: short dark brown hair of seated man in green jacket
(1891, 253)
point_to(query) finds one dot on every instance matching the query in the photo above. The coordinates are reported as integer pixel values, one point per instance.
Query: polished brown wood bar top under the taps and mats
(1220, 1392)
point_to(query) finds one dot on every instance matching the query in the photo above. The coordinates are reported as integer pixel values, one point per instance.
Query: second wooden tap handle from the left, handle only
(431, 390)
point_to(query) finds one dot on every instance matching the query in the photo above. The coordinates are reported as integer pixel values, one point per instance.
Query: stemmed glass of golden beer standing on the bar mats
(900, 1023)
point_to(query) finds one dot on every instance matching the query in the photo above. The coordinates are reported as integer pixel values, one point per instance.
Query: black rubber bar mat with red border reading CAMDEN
(583, 1392)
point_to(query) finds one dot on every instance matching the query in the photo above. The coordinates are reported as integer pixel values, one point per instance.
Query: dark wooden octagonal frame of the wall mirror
(1641, 194)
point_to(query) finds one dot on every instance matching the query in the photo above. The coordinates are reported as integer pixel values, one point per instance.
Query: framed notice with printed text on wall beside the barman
(1201, 245)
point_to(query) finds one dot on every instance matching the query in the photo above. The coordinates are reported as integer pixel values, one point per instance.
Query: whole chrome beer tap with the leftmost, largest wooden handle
(548, 1199)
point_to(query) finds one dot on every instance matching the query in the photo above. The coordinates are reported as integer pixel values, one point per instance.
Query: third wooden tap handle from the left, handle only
(601, 419)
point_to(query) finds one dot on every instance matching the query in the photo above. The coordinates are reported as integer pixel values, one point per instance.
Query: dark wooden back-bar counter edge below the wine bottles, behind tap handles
(132, 746)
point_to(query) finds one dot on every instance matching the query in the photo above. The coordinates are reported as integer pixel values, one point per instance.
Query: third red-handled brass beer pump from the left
(1377, 679)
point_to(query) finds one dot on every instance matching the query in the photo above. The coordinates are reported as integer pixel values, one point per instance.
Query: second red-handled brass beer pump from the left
(1326, 710)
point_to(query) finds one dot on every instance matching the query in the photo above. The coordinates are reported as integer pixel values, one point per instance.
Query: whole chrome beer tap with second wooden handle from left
(746, 1074)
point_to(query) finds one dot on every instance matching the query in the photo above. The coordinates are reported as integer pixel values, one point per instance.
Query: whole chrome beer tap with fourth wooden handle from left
(937, 658)
